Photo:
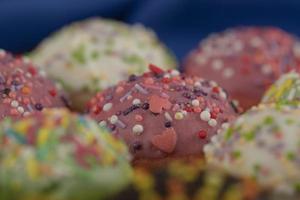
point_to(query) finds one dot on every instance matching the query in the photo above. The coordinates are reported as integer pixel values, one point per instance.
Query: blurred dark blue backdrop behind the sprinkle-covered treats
(179, 23)
